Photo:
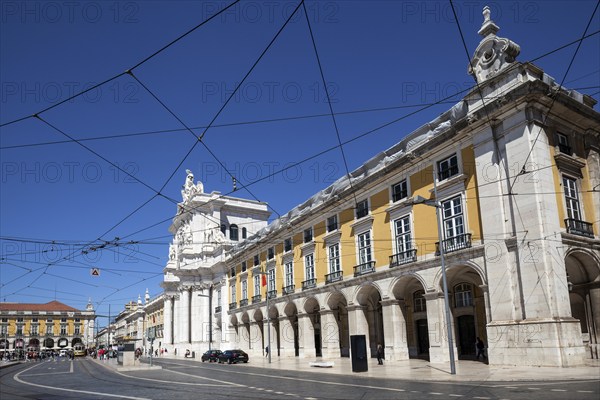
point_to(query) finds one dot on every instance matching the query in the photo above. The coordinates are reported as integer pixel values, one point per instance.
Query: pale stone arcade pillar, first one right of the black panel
(394, 330)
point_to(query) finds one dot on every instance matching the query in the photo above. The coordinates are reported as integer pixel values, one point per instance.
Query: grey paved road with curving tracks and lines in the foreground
(182, 380)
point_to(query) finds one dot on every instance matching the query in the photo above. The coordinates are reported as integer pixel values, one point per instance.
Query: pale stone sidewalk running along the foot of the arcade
(420, 370)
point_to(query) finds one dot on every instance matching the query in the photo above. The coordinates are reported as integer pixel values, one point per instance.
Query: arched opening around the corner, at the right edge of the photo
(583, 282)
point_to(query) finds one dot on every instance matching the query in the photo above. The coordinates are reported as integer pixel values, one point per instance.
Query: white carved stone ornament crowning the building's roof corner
(493, 53)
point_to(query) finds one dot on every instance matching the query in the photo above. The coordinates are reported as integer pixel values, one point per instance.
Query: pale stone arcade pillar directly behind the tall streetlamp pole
(436, 325)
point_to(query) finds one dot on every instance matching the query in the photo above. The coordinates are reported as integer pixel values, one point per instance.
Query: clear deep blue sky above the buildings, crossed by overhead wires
(80, 183)
